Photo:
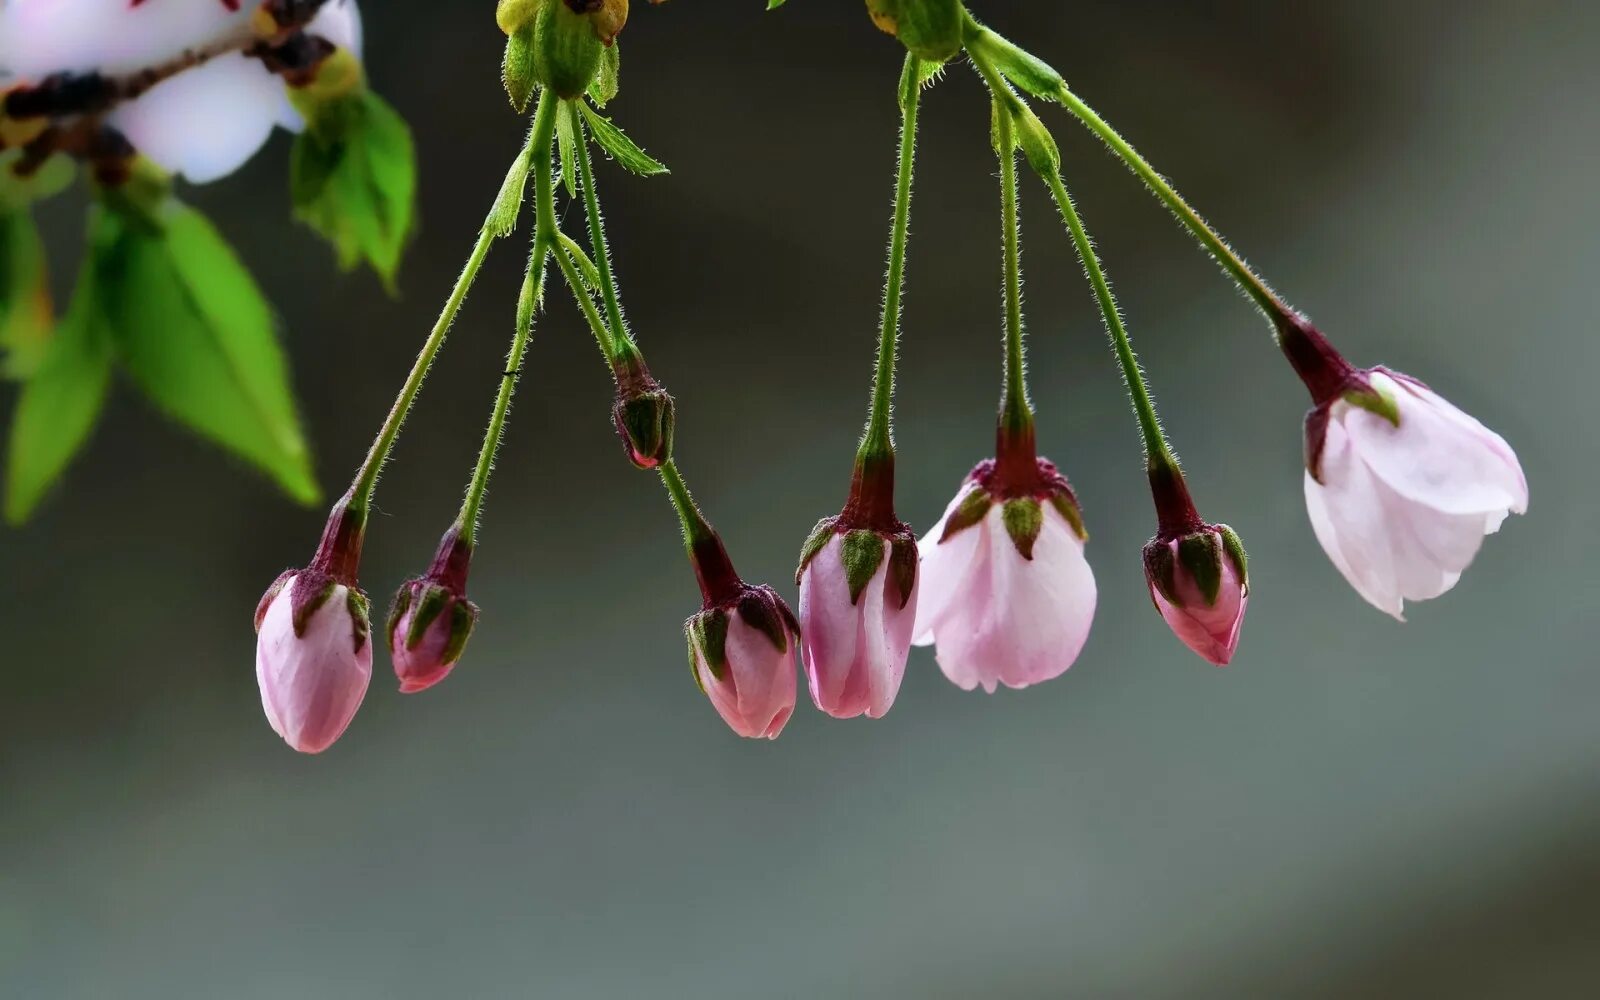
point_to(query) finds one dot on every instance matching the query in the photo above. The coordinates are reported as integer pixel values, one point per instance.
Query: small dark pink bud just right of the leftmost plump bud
(431, 618)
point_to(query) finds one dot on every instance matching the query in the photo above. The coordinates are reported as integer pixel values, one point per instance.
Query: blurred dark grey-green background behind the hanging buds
(1353, 809)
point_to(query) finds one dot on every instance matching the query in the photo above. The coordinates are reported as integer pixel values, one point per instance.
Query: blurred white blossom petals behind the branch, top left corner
(204, 122)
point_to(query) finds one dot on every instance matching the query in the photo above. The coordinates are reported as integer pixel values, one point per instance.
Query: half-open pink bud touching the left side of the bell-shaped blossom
(858, 602)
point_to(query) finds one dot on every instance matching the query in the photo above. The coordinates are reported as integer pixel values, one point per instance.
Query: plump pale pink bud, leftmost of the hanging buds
(314, 658)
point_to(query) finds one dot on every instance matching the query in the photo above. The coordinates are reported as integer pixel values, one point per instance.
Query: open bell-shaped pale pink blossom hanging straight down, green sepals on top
(1007, 594)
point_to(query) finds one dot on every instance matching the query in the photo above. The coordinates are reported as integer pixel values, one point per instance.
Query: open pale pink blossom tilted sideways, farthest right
(1402, 489)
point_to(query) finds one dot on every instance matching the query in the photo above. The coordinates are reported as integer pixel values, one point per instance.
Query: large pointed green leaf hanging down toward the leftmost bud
(196, 335)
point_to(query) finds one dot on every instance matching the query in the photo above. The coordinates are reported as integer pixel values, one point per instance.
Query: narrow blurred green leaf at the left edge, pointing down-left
(60, 404)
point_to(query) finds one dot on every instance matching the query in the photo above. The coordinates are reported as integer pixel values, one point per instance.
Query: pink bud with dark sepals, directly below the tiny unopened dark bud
(742, 654)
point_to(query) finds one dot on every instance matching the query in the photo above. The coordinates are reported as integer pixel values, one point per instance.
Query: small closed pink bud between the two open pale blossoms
(1201, 586)
